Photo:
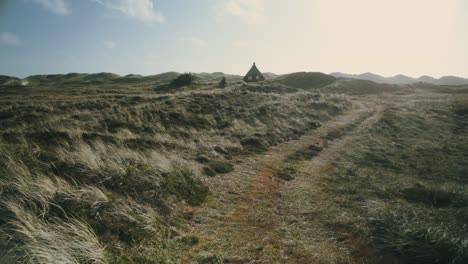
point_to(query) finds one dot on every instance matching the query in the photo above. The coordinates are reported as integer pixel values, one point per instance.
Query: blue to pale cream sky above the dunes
(387, 37)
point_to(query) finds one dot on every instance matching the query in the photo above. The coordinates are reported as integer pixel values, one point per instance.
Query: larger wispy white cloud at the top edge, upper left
(143, 10)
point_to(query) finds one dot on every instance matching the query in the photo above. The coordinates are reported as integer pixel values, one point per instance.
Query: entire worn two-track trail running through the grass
(246, 219)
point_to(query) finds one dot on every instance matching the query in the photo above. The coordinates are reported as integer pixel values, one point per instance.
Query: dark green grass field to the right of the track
(404, 177)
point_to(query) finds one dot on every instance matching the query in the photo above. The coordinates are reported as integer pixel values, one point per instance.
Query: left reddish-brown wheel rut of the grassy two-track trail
(252, 228)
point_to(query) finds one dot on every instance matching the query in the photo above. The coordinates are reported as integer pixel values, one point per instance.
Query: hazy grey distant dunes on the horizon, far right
(402, 79)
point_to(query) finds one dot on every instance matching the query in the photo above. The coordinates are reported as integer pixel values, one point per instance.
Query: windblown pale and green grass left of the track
(108, 174)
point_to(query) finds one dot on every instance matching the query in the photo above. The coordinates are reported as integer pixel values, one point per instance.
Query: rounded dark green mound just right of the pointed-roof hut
(305, 80)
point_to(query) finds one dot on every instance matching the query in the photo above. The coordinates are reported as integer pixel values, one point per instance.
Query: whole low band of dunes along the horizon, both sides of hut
(301, 80)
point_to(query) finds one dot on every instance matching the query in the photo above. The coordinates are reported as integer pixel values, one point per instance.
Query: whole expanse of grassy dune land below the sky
(101, 168)
